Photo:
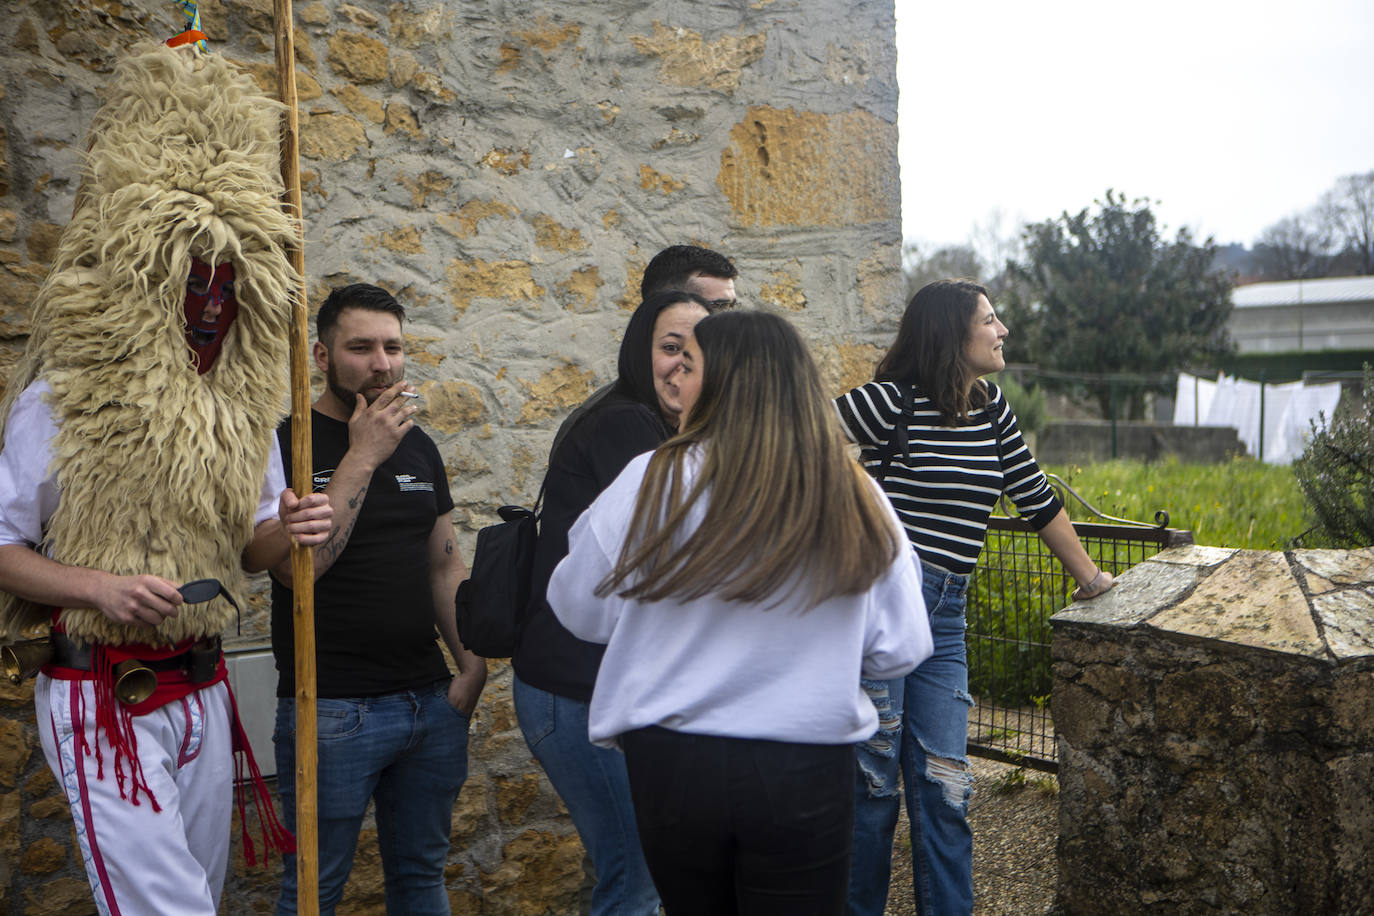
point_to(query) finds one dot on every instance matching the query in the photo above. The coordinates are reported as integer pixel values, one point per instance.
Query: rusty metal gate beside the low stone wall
(1015, 591)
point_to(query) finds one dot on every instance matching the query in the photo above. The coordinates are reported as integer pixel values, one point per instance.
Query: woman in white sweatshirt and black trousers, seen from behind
(744, 577)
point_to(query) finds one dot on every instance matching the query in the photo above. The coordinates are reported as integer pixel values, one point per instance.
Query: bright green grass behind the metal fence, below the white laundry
(1240, 503)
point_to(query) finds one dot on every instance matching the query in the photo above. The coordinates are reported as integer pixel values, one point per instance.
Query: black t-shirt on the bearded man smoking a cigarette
(374, 612)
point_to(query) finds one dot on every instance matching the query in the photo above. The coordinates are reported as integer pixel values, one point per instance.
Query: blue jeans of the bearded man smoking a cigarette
(406, 751)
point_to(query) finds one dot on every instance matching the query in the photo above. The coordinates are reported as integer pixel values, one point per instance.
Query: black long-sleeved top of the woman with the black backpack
(586, 462)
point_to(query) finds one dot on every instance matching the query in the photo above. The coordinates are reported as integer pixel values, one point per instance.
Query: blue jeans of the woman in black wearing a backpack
(594, 785)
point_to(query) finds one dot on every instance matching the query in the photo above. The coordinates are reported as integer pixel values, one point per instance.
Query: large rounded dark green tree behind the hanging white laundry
(1104, 292)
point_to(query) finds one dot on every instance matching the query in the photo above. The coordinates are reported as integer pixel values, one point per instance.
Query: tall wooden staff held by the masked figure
(303, 561)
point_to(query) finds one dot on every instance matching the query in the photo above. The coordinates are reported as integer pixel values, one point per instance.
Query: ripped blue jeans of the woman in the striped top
(923, 733)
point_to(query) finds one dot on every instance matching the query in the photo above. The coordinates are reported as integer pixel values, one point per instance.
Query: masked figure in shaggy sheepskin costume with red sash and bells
(138, 455)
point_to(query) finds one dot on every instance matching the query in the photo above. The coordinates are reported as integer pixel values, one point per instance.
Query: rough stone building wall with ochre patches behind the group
(506, 170)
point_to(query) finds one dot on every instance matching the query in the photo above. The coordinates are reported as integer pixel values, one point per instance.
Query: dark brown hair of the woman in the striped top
(930, 350)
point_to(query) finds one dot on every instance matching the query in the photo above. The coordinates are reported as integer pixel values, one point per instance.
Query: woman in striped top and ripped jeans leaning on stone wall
(962, 453)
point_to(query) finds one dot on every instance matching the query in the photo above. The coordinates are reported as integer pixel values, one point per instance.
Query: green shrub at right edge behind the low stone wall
(1336, 473)
